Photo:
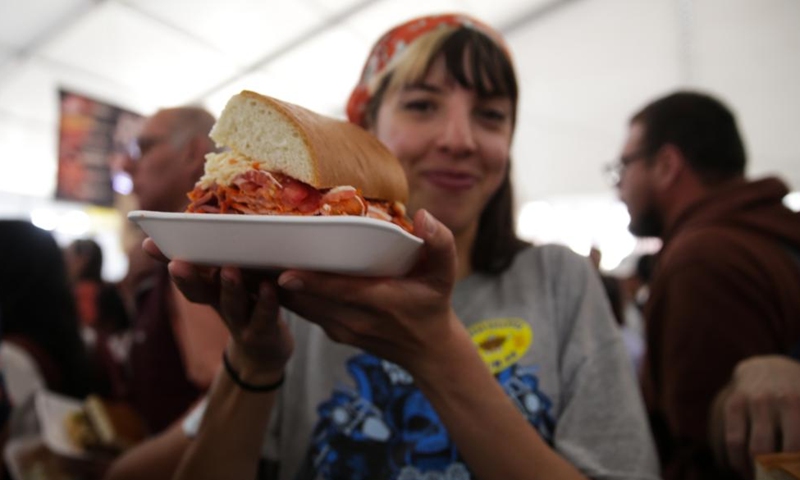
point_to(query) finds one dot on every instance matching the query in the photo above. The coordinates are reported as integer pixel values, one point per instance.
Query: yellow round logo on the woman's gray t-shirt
(501, 342)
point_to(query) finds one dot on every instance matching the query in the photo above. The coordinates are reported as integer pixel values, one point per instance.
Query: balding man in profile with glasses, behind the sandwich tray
(176, 345)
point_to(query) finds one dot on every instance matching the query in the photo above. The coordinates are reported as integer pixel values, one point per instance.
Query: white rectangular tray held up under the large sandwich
(339, 244)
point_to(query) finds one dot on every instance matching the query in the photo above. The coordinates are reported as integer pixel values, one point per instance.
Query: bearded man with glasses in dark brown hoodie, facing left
(726, 286)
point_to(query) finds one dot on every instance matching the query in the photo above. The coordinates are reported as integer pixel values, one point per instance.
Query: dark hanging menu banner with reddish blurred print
(93, 136)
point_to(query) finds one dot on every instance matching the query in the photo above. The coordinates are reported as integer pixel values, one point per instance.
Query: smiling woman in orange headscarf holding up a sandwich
(514, 371)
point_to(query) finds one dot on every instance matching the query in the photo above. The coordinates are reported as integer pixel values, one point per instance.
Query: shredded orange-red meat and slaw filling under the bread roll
(235, 184)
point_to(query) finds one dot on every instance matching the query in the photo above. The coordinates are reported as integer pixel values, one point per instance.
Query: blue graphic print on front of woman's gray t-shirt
(386, 428)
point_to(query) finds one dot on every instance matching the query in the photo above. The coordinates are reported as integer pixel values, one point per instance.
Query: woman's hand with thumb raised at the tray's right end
(406, 320)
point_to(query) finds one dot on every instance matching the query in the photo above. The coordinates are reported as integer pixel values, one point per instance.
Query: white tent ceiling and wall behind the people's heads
(584, 66)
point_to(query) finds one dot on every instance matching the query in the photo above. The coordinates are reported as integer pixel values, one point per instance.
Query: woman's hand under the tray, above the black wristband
(248, 303)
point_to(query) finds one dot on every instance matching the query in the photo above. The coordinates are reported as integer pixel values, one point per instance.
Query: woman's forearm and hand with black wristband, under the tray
(228, 444)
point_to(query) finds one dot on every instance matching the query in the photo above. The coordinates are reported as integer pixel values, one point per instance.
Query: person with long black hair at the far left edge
(41, 335)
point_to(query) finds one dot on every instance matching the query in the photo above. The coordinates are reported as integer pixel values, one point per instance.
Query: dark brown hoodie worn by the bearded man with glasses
(725, 288)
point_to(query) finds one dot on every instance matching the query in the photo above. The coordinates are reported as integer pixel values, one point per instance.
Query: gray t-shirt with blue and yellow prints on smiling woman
(545, 330)
